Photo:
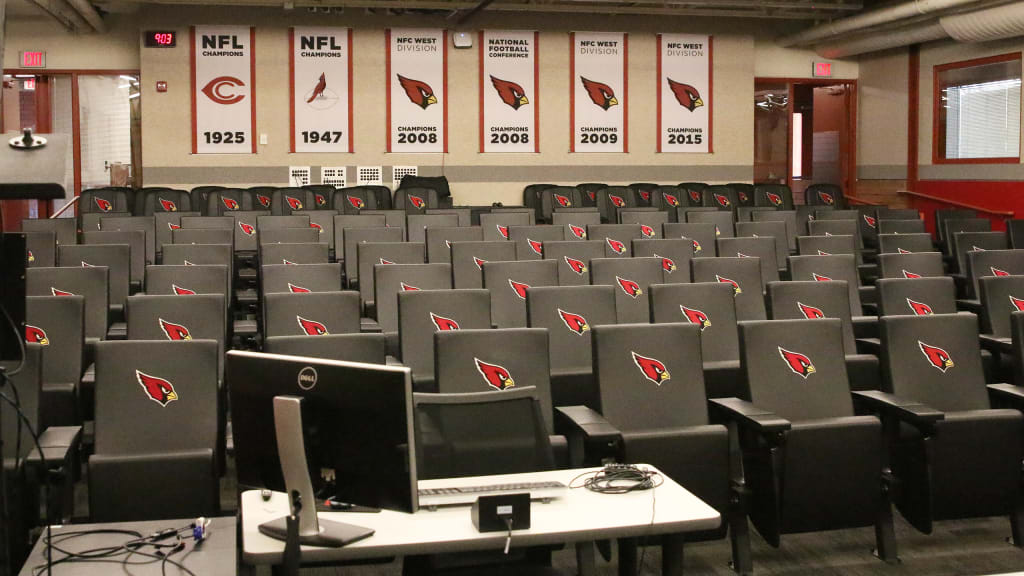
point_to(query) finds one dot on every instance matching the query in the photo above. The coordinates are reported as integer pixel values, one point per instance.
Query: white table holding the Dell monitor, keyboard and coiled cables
(580, 517)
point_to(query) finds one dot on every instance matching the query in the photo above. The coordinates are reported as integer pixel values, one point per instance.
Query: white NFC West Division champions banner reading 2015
(685, 65)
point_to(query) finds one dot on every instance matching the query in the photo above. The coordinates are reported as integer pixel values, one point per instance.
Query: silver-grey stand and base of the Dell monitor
(291, 450)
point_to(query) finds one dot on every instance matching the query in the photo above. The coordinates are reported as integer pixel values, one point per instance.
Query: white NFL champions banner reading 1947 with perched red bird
(321, 64)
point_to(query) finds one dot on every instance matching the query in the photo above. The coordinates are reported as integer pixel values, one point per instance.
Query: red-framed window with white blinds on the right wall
(978, 111)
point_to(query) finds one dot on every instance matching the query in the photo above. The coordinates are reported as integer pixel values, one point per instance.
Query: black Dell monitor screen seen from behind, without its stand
(357, 421)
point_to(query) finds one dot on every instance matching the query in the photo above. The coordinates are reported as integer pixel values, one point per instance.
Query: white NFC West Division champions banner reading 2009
(599, 92)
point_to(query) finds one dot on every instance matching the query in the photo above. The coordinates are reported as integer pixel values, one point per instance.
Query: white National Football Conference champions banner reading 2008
(508, 92)
